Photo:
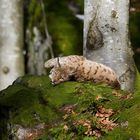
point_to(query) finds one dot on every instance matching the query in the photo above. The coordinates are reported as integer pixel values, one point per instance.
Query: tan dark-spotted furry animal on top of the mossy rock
(80, 69)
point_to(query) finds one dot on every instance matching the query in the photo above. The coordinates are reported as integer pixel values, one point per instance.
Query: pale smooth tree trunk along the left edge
(11, 41)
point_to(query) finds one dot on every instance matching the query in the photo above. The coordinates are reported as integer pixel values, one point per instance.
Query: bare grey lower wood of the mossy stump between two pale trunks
(38, 52)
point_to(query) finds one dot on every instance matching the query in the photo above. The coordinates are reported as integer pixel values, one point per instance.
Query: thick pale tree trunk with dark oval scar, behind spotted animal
(106, 37)
